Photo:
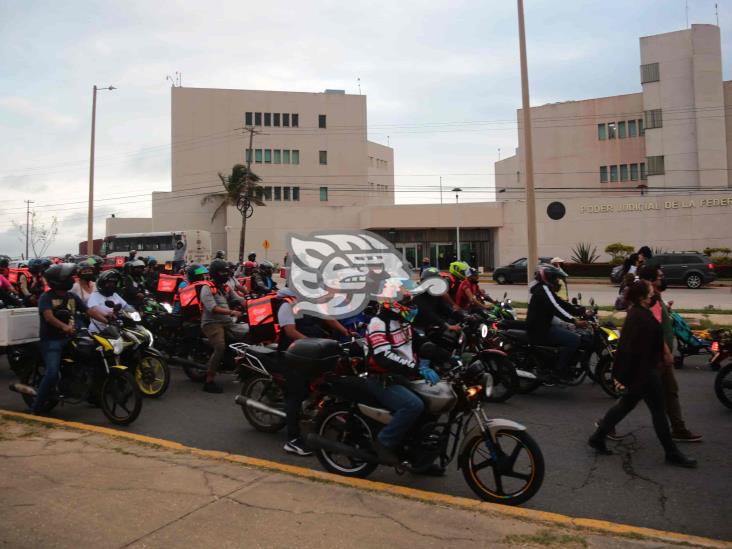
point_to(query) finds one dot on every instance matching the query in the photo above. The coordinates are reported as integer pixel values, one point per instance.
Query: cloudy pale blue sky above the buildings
(442, 81)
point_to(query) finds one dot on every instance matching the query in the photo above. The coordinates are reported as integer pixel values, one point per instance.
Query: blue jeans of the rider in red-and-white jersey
(405, 406)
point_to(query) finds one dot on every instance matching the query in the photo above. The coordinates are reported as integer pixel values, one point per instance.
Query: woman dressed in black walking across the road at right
(637, 366)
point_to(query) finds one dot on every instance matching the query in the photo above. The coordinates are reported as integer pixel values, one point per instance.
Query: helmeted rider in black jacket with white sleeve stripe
(544, 305)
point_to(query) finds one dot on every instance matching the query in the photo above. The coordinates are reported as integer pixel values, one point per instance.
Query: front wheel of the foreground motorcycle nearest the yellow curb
(511, 478)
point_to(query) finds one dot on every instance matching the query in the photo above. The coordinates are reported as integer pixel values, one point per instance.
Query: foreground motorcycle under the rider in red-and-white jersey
(499, 460)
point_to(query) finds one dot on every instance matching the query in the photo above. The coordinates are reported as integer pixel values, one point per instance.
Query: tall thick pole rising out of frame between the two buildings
(533, 254)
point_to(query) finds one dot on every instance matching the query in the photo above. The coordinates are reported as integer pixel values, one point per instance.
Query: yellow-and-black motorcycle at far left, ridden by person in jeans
(91, 371)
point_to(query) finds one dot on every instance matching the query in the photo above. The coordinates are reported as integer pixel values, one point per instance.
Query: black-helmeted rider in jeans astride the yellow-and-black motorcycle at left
(58, 309)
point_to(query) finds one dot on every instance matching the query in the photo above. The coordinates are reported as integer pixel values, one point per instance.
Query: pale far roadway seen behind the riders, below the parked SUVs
(605, 294)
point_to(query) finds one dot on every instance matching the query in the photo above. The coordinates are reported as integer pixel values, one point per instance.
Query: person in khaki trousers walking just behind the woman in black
(662, 314)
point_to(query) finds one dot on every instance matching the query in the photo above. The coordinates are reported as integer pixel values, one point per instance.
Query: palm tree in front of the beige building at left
(241, 185)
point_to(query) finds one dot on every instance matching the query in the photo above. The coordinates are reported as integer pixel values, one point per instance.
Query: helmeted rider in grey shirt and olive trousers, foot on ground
(217, 314)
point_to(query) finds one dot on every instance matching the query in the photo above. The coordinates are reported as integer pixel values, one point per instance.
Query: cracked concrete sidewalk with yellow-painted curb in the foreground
(65, 487)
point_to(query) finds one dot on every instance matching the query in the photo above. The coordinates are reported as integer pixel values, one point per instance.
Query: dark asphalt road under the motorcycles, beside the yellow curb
(634, 486)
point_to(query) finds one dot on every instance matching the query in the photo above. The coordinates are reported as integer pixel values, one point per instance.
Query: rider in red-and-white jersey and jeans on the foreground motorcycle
(389, 336)
